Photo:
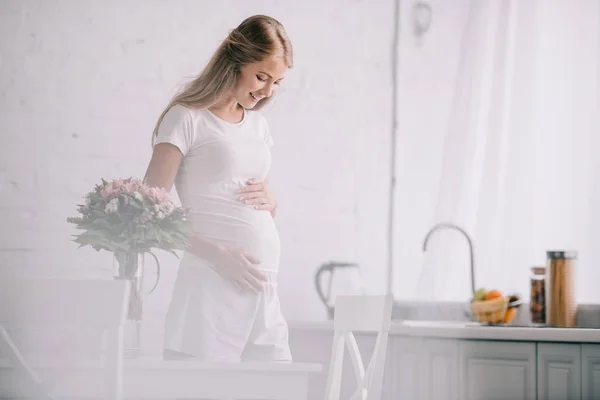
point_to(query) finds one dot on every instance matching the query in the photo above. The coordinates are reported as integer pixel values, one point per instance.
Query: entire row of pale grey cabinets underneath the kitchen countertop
(451, 369)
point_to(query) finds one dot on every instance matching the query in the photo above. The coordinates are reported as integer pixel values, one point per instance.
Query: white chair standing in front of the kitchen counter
(359, 314)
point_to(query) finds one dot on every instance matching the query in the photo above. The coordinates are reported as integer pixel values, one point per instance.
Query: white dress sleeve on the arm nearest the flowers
(177, 128)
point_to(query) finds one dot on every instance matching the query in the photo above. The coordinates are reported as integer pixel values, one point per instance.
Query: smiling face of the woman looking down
(259, 80)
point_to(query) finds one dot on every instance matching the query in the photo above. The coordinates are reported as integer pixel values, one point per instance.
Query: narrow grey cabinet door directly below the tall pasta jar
(559, 371)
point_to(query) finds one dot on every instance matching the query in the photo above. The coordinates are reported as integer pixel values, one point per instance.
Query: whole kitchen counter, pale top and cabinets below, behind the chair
(466, 359)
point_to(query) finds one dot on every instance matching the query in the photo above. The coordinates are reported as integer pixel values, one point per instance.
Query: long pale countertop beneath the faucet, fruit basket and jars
(470, 330)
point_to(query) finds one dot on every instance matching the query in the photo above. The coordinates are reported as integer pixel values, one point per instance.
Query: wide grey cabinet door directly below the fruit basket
(497, 370)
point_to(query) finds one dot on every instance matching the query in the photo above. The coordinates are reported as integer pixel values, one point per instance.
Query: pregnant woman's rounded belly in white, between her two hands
(243, 226)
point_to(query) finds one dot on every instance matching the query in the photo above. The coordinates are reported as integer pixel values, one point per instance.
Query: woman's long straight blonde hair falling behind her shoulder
(256, 38)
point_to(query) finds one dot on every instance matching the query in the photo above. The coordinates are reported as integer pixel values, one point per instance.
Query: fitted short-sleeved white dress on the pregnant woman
(208, 316)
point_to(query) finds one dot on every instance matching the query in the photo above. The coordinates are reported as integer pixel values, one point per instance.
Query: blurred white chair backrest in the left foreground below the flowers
(47, 303)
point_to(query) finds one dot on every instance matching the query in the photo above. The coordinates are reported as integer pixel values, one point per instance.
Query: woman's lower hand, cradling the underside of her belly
(236, 264)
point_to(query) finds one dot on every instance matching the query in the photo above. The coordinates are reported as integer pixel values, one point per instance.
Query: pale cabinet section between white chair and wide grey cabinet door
(424, 369)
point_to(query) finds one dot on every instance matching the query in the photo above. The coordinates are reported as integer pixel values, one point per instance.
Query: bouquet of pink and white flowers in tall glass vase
(129, 218)
